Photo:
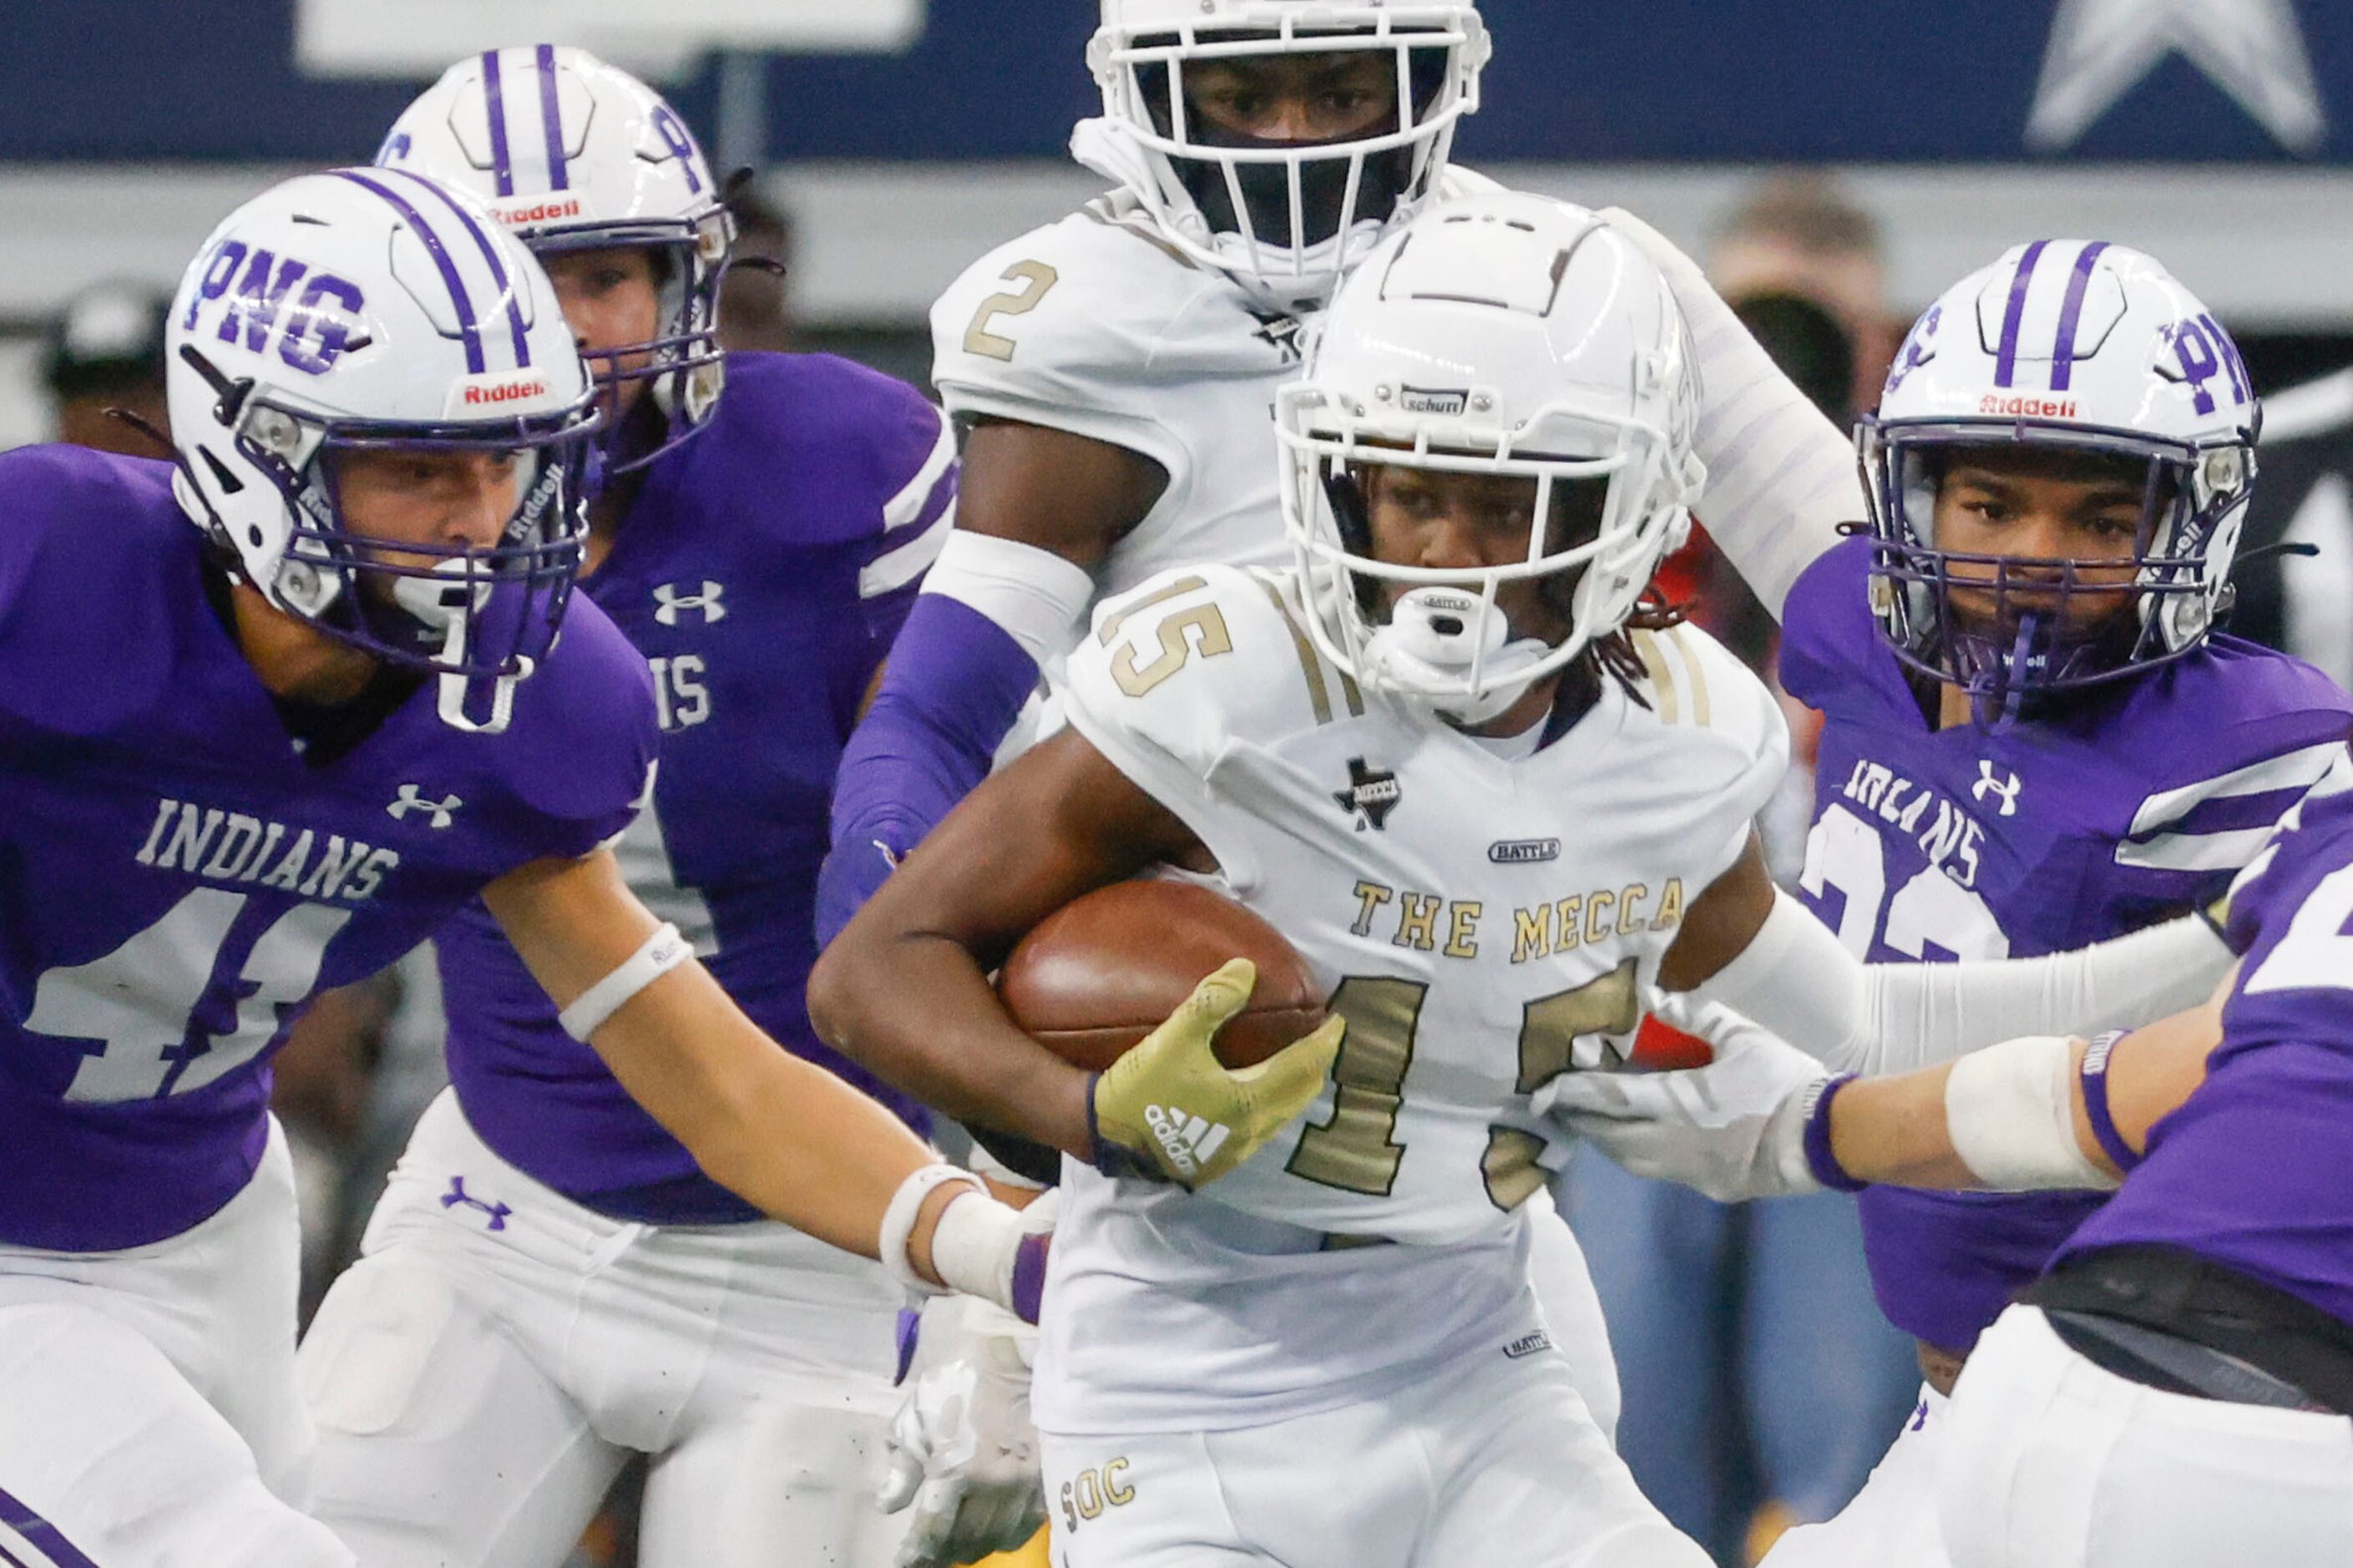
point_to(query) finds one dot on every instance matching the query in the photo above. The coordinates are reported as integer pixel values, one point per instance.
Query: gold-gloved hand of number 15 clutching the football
(1173, 1110)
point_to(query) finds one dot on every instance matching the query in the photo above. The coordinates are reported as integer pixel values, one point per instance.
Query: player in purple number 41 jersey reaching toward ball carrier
(267, 755)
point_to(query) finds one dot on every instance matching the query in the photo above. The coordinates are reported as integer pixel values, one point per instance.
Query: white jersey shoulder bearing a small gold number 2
(1088, 326)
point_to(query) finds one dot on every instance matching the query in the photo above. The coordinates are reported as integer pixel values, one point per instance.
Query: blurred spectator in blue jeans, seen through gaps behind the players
(1761, 1381)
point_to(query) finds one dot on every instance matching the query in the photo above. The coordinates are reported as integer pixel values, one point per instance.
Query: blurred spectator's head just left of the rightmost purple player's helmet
(1801, 237)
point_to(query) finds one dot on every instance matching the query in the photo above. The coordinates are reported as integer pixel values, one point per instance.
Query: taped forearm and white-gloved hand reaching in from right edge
(2029, 1115)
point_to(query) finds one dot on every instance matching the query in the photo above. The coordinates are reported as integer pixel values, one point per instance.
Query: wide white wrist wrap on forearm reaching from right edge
(2011, 1112)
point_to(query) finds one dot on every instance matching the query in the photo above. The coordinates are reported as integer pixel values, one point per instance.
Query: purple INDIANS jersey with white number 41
(178, 879)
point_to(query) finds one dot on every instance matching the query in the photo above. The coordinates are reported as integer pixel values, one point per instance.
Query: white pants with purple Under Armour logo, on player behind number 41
(484, 1371)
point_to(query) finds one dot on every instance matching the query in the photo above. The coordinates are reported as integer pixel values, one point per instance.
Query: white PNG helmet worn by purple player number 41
(368, 310)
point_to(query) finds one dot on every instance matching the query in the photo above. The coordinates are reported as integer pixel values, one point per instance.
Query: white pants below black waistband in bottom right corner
(2055, 1463)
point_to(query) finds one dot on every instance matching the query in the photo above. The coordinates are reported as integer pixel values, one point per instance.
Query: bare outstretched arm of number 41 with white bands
(782, 1134)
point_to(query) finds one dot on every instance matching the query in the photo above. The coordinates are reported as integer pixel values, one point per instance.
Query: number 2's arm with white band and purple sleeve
(1036, 514)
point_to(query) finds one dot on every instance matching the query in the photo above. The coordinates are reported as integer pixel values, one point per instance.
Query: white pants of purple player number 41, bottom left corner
(147, 1397)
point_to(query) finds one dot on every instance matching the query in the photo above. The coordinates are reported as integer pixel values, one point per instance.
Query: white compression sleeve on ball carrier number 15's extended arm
(1891, 1018)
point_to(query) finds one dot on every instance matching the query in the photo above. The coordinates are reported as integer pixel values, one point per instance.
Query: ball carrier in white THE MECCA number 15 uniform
(1495, 804)
